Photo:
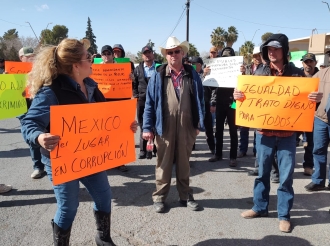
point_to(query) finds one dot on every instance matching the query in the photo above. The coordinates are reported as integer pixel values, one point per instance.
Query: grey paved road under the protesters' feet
(223, 192)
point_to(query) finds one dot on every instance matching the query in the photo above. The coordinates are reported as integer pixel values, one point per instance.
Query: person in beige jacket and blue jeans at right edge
(321, 136)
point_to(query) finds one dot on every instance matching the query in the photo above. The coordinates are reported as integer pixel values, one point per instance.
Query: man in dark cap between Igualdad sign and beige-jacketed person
(309, 64)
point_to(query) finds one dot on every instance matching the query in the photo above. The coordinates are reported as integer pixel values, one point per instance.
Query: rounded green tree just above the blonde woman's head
(55, 35)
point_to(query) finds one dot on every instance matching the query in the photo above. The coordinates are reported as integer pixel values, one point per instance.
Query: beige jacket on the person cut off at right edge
(324, 86)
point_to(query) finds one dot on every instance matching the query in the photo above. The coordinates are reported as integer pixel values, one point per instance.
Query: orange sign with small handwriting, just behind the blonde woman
(113, 79)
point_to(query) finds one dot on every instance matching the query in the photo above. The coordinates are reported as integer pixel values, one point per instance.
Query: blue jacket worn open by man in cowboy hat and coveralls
(153, 111)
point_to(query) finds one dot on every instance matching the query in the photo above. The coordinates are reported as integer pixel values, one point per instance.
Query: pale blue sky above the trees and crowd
(133, 22)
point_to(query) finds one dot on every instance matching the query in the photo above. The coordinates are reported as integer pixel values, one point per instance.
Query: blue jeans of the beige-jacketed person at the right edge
(320, 151)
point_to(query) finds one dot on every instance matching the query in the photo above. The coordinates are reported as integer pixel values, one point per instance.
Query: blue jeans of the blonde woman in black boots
(67, 196)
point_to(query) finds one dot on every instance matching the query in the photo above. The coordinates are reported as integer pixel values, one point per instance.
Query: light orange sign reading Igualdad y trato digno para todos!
(277, 103)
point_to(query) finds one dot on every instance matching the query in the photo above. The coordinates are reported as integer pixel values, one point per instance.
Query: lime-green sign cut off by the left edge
(12, 102)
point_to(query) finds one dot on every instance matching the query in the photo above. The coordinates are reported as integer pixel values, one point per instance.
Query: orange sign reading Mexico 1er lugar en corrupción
(94, 137)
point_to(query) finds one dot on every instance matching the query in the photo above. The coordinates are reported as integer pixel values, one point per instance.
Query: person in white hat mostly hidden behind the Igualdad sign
(244, 131)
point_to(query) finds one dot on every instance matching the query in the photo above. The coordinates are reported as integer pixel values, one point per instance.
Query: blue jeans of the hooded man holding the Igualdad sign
(286, 154)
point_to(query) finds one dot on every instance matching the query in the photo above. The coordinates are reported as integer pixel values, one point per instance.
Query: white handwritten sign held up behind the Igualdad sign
(224, 71)
